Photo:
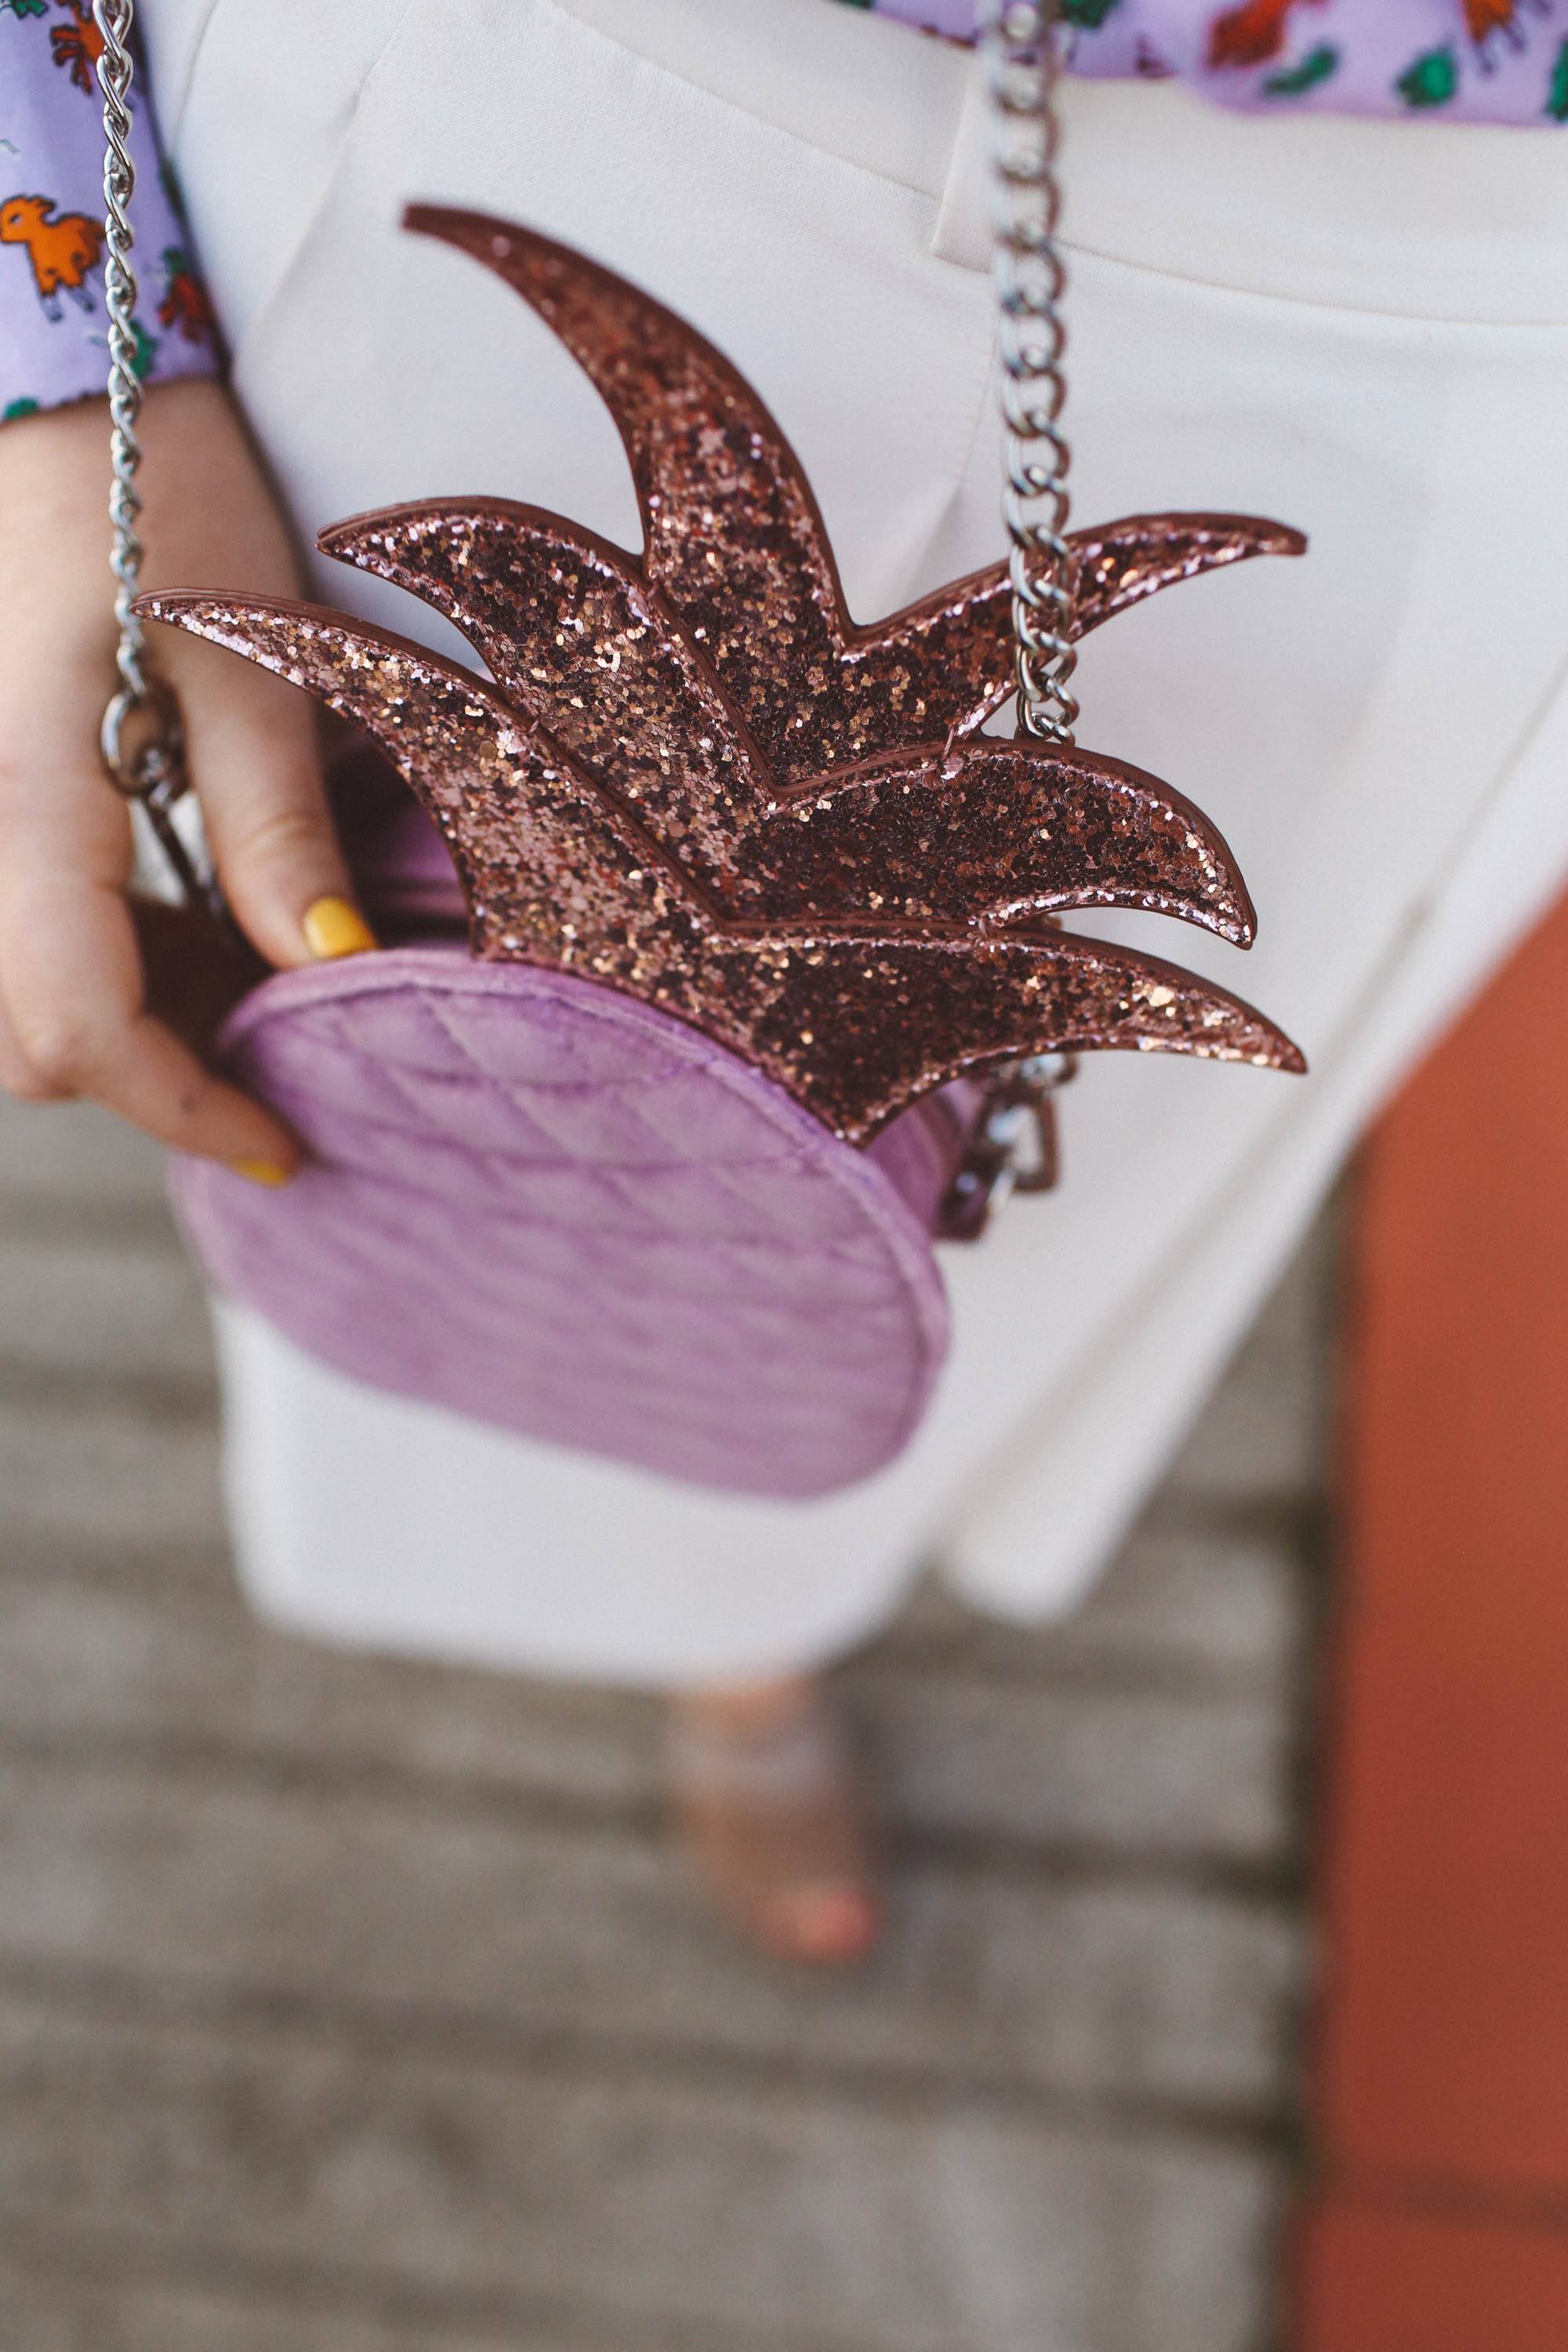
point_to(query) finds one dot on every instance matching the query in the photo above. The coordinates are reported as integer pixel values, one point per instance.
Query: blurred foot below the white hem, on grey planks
(768, 1810)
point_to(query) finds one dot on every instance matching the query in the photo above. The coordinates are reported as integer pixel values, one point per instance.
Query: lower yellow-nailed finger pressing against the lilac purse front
(76, 1017)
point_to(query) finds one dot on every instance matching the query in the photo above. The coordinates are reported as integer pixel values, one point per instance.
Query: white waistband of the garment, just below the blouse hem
(1416, 220)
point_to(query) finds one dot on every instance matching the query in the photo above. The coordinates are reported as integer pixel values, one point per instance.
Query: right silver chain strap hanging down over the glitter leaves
(1021, 67)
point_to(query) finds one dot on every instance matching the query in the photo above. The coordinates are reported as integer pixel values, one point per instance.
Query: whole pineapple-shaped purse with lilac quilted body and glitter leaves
(723, 947)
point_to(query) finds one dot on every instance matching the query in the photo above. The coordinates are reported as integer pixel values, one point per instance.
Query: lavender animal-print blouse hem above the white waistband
(1459, 60)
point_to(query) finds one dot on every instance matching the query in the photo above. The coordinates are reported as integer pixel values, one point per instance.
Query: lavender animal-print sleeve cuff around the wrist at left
(53, 319)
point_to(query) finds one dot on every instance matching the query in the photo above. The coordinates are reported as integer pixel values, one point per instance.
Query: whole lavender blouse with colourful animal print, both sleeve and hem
(1461, 60)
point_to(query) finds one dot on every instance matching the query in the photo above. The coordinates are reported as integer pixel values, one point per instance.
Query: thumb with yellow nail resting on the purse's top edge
(257, 773)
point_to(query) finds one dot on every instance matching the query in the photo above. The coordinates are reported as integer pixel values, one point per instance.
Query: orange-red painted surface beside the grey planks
(1442, 2094)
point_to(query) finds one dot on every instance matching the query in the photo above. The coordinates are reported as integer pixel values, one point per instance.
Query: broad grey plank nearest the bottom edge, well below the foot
(902, 2229)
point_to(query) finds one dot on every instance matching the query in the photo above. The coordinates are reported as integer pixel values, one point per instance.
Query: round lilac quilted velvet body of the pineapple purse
(551, 1208)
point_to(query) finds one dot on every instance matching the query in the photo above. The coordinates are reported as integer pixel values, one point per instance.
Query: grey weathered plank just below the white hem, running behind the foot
(1127, 1775)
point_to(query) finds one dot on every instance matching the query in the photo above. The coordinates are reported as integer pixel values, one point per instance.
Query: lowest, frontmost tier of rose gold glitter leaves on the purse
(852, 1024)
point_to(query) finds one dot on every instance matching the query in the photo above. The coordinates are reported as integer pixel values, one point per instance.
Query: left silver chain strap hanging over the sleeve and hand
(142, 737)
